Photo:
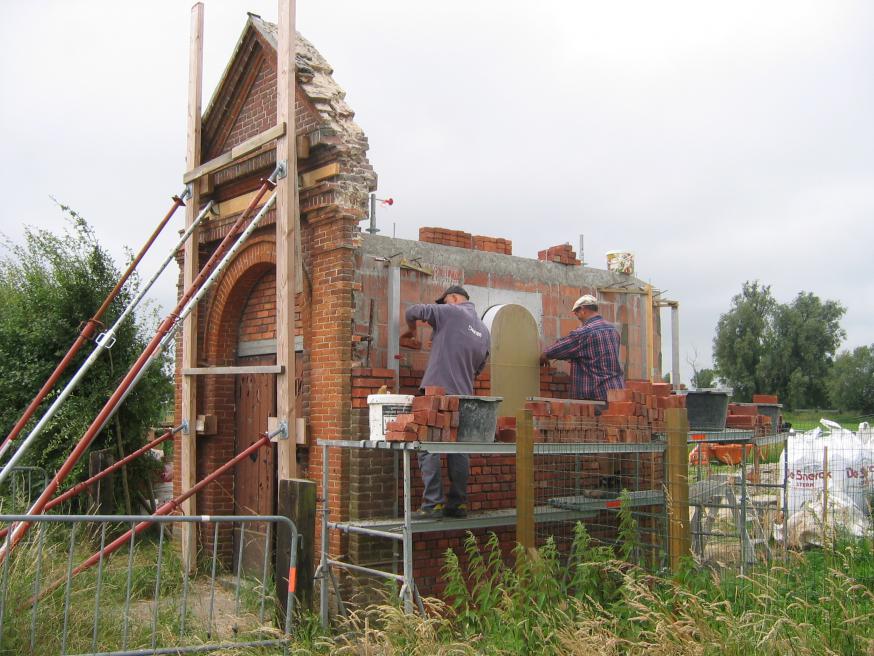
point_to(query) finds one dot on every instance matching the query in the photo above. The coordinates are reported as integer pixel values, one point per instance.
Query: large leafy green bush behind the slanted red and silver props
(49, 284)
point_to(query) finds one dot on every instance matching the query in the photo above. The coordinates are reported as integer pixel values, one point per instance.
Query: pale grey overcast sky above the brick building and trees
(719, 142)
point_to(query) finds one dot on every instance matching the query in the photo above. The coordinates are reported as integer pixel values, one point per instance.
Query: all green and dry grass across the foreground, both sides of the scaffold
(589, 601)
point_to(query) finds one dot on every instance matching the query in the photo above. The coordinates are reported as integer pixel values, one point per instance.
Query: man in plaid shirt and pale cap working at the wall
(593, 351)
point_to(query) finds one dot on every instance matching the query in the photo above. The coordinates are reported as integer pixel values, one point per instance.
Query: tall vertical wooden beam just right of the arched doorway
(287, 226)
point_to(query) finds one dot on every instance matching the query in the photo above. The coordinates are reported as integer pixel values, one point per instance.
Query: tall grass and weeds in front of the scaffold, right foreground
(818, 602)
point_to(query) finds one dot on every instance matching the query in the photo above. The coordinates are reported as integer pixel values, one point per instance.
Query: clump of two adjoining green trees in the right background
(785, 349)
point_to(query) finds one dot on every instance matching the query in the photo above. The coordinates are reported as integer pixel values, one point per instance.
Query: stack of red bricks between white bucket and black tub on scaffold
(434, 419)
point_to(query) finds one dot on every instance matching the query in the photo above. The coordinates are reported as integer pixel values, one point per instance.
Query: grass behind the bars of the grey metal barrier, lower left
(113, 586)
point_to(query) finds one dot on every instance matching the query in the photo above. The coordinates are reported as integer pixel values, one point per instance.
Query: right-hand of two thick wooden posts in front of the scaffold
(677, 483)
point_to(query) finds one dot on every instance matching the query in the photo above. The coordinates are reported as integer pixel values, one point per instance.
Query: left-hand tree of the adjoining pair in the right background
(742, 336)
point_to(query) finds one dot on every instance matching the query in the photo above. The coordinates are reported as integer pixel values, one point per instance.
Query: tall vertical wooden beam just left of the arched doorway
(190, 268)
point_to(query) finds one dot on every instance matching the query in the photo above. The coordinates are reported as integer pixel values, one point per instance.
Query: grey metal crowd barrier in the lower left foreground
(146, 602)
